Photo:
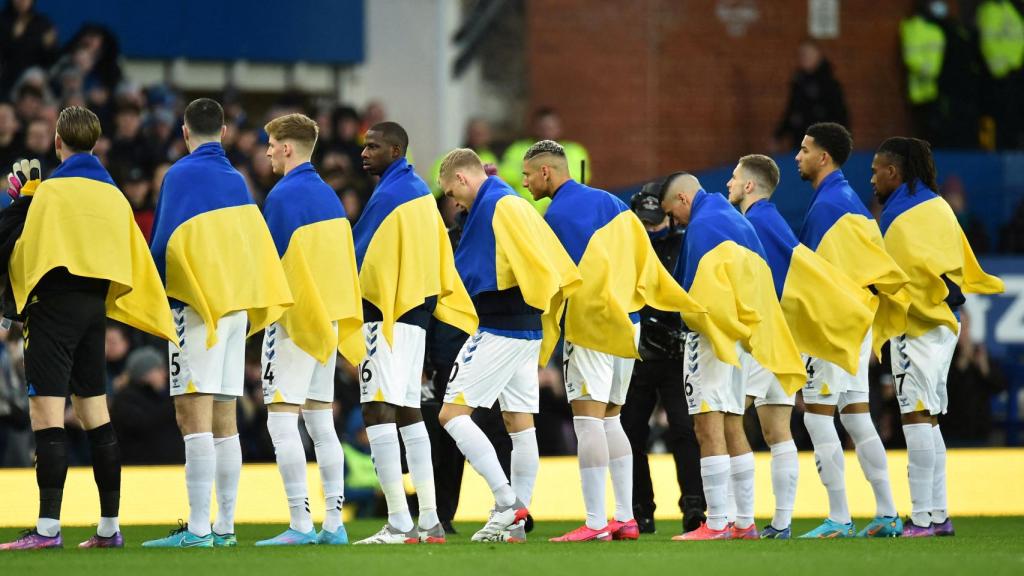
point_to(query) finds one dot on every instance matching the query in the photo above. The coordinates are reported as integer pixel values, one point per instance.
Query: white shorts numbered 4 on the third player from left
(291, 376)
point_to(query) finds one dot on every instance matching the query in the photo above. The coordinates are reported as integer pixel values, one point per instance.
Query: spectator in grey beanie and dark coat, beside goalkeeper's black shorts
(143, 413)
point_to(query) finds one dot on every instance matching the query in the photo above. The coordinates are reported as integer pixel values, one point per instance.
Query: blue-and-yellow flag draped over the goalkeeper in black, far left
(80, 221)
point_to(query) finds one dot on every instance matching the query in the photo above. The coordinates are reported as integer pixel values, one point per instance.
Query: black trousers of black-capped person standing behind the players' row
(656, 382)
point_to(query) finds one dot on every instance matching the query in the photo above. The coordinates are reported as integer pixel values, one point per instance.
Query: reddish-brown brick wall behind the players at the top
(654, 87)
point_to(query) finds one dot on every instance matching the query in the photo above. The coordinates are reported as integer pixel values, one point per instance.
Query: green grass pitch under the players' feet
(988, 547)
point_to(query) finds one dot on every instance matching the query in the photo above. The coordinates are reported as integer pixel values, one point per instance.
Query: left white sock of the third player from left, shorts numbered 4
(284, 429)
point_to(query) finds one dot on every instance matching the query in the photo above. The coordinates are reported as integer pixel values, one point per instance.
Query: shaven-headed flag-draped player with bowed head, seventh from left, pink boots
(723, 266)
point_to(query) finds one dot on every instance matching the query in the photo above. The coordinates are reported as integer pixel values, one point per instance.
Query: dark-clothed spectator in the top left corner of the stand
(27, 39)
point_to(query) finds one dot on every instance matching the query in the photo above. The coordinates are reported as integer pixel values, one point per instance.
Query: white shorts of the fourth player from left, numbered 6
(393, 376)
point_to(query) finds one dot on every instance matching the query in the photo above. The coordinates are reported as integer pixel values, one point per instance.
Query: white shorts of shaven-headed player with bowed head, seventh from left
(710, 385)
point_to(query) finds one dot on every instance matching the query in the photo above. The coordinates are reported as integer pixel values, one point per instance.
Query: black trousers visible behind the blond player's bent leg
(448, 460)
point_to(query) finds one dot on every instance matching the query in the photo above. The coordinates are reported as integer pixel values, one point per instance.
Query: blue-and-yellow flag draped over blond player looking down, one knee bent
(506, 244)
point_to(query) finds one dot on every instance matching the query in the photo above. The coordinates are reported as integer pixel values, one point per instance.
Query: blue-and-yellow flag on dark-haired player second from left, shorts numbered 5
(212, 246)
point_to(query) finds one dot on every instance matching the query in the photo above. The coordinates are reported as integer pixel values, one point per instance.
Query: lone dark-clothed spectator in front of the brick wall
(816, 96)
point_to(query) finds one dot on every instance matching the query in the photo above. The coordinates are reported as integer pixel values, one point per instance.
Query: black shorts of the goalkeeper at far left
(65, 344)
